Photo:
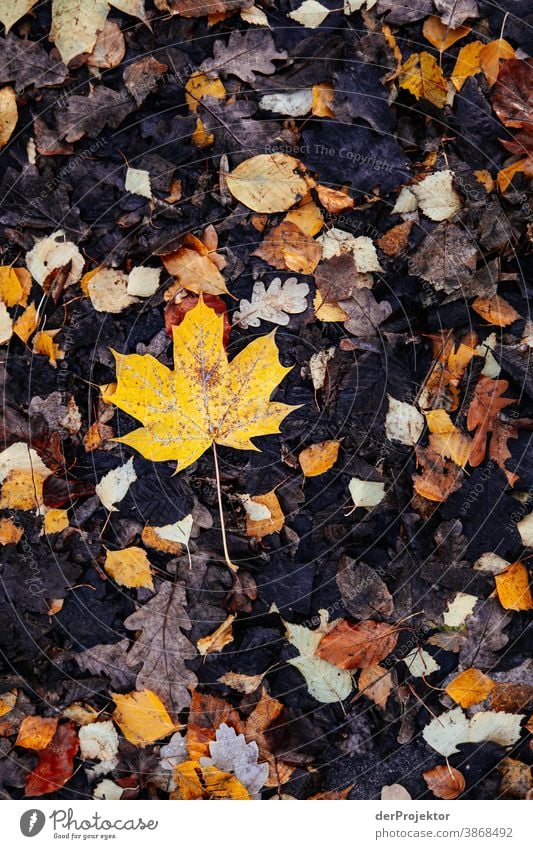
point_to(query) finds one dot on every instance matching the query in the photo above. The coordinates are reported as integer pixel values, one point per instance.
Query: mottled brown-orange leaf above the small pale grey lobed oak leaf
(286, 247)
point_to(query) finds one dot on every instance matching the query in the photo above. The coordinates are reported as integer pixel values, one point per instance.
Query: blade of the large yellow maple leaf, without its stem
(206, 399)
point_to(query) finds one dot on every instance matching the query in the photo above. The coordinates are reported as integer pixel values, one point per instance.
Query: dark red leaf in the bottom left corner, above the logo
(56, 762)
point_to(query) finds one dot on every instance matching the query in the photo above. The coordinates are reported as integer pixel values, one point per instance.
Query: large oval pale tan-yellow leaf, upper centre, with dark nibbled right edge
(270, 182)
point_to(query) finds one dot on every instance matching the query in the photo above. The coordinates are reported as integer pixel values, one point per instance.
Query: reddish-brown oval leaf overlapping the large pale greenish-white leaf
(358, 646)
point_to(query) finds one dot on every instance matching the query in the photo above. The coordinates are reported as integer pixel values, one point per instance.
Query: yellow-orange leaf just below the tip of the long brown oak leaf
(142, 717)
